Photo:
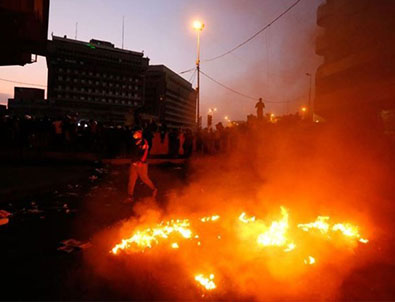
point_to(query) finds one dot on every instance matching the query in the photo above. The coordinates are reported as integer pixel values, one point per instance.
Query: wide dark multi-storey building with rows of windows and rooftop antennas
(95, 79)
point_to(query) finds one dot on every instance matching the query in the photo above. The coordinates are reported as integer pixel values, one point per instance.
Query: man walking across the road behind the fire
(139, 165)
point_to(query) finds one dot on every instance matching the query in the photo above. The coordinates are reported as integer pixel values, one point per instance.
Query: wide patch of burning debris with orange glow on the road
(209, 243)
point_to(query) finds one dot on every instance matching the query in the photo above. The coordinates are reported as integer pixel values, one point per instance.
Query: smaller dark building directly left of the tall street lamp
(170, 97)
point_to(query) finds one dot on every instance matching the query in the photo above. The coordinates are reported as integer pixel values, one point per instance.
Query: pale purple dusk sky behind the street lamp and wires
(271, 66)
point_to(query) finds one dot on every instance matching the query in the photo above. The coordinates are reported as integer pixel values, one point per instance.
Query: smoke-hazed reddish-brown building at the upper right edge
(356, 80)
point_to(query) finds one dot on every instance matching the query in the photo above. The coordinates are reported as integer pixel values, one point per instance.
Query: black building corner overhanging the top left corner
(23, 30)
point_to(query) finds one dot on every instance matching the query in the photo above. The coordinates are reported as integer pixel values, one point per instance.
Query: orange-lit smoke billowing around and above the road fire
(309, 170)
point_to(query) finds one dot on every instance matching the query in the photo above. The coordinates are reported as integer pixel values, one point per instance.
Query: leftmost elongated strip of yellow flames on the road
(148, 237)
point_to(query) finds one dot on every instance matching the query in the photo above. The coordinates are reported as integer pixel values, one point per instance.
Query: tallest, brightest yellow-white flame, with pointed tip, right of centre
(276, 234)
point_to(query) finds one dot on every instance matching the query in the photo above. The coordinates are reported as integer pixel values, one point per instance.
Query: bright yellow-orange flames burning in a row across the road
(247, 232)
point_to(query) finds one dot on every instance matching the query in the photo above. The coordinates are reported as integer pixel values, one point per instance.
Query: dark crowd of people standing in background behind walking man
(66, 134)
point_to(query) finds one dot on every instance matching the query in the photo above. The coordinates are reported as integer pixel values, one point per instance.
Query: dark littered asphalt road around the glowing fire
(37, 263)
